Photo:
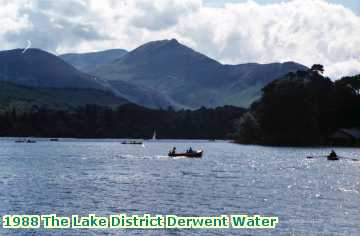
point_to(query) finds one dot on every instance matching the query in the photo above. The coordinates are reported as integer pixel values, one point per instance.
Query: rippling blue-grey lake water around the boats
(310, 196)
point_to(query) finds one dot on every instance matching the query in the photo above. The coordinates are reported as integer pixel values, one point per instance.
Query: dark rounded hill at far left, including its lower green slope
(36, 77)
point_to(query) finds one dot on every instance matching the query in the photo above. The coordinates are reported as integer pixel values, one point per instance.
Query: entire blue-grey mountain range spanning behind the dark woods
(158, 74)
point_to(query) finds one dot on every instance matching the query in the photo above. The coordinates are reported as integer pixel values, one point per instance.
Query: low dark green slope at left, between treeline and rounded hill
(23, 97)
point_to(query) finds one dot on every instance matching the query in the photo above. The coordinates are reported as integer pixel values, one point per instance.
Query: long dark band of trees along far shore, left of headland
(126, 121)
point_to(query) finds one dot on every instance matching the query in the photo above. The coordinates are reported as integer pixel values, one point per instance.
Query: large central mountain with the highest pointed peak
(190, 79)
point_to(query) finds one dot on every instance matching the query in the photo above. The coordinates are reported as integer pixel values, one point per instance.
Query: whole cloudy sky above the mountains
(233, 32)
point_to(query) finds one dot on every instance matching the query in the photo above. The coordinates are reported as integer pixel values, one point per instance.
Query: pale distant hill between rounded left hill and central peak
(87, 62)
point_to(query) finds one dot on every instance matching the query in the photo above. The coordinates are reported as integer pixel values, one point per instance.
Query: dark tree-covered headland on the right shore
(301, 109)
